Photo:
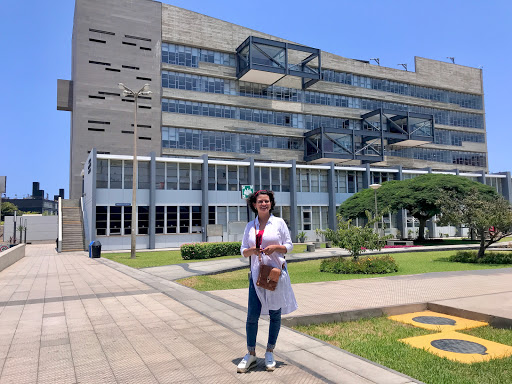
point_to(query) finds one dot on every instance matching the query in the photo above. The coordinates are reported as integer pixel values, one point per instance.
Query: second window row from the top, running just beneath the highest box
(216, 85)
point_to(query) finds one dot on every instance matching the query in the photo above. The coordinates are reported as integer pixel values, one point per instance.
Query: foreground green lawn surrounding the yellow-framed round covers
(377, 340)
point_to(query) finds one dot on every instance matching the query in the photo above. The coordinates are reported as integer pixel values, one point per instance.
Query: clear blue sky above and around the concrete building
(36, 40)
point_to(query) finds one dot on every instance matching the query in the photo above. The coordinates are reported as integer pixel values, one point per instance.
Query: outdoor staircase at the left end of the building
(72, 226)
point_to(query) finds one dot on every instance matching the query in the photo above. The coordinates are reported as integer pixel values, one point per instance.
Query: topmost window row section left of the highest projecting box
(190, 57)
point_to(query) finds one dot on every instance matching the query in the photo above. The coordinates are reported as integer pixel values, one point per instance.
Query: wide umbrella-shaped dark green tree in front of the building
(422, 196)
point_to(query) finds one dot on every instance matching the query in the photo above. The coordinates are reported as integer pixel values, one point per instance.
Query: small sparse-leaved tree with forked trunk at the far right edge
(490, 218)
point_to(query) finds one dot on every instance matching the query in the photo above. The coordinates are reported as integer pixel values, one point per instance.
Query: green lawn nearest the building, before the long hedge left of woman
(159, 258)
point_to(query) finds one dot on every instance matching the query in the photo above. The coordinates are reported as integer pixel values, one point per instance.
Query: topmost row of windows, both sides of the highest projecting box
(188, 56)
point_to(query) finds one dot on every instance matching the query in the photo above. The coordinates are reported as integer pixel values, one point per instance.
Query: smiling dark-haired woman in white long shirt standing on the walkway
(266, 241)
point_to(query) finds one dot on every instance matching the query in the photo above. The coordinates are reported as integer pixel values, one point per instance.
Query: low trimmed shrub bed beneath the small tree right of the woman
(363, 265)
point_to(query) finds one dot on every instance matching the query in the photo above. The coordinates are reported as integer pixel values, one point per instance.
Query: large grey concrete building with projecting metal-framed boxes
(234, 106)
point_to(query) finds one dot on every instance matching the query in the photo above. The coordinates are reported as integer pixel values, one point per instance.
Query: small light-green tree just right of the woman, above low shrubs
(356, 239)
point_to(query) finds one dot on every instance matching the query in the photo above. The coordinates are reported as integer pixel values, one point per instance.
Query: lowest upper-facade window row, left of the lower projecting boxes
(204, 140)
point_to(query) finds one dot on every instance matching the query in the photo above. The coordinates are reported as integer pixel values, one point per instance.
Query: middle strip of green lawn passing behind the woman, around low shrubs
(309, 271)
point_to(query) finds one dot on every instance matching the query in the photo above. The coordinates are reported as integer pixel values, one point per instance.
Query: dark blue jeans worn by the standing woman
(253, 314)
